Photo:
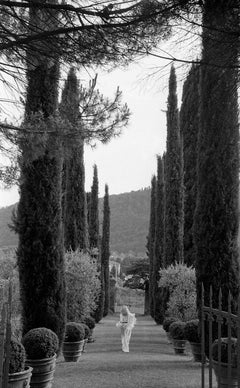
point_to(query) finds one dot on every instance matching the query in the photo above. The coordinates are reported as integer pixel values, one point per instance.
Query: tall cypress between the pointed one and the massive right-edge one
(189, 126)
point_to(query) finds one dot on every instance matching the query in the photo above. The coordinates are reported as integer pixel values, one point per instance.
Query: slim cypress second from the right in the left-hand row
(93, 226)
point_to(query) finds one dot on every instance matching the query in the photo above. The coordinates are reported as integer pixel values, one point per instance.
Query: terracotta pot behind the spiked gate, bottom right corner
(222, 379)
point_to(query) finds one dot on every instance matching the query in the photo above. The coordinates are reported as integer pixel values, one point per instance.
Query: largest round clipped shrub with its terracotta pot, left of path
(41, 345)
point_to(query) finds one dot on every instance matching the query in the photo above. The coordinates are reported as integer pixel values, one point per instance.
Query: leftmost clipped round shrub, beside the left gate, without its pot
(17, 357)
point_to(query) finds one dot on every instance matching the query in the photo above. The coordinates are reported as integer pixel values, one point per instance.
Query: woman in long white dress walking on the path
(126, 323)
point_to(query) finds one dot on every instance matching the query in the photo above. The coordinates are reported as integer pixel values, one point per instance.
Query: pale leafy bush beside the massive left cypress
(83, 284)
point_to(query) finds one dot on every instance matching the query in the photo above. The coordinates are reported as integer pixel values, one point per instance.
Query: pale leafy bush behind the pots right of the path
(180, 280)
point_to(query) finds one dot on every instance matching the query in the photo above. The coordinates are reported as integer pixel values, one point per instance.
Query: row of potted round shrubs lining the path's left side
(34, 358)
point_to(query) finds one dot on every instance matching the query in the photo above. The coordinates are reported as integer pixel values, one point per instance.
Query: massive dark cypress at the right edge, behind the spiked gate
(216, 217)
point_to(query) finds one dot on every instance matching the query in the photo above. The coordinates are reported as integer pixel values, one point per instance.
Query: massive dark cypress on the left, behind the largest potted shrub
(40, 252)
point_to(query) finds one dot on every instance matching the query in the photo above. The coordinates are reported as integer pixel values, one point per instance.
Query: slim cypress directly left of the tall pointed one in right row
(158, 242)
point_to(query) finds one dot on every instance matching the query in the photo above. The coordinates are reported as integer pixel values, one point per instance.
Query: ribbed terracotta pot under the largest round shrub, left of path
(43, 372)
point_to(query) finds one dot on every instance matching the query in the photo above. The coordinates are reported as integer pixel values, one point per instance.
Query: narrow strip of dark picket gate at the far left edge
(5, 331)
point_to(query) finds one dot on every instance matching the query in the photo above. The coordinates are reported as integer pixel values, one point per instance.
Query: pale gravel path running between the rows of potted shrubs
(151, 362)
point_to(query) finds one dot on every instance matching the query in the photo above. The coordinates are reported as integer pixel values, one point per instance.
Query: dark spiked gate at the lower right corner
(220, 326)
